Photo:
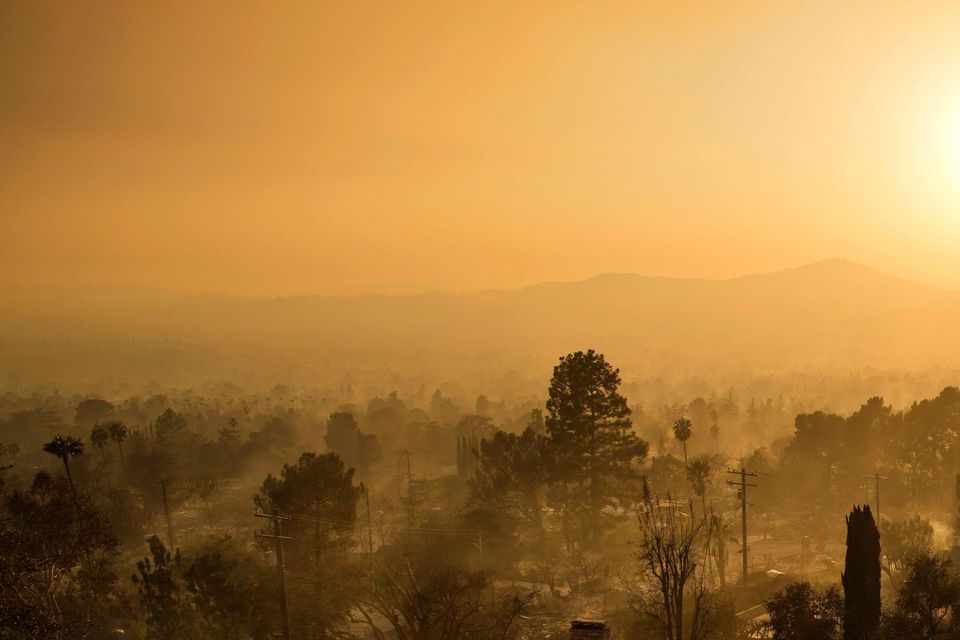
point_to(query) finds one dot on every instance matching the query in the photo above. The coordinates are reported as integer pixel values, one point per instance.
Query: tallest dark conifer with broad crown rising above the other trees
(591, 439)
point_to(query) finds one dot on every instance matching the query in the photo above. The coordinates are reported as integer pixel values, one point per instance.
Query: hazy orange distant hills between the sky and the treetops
(833, 313)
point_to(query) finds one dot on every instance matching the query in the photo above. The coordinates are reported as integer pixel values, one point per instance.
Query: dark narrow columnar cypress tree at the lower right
(861, 576)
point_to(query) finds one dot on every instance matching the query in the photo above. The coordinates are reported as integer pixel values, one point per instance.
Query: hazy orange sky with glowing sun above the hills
(277, 148)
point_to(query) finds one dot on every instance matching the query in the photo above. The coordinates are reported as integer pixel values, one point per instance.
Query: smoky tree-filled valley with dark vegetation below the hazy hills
(411, 516)
